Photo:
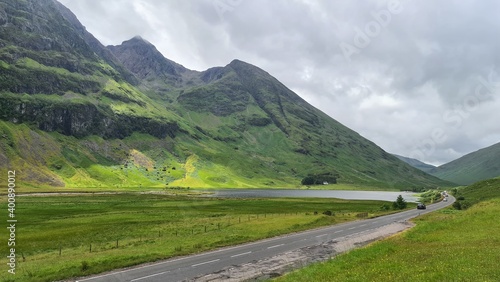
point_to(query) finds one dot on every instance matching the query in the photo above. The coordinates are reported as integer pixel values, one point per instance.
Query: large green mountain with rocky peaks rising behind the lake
(74, 113)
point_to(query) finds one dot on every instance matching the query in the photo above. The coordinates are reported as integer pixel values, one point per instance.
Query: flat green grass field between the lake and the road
(68, 236)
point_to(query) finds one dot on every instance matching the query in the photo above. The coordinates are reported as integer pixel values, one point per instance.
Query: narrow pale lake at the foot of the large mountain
(289, 193)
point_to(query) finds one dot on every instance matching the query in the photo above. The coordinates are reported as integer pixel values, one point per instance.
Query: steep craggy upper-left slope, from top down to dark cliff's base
(53, 79)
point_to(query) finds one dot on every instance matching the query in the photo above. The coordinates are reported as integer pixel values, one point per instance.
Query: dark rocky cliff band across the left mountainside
(81, 119)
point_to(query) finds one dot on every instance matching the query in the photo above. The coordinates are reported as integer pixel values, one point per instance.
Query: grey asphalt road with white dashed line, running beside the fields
(188, 267)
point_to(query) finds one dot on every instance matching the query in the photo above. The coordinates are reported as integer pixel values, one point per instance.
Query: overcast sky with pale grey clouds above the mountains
(418, 78)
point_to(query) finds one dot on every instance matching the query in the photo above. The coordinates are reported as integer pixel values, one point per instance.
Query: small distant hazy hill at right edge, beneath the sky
(476, 166)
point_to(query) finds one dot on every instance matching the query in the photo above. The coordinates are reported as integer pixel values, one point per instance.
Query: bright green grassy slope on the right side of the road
(447, 245)
